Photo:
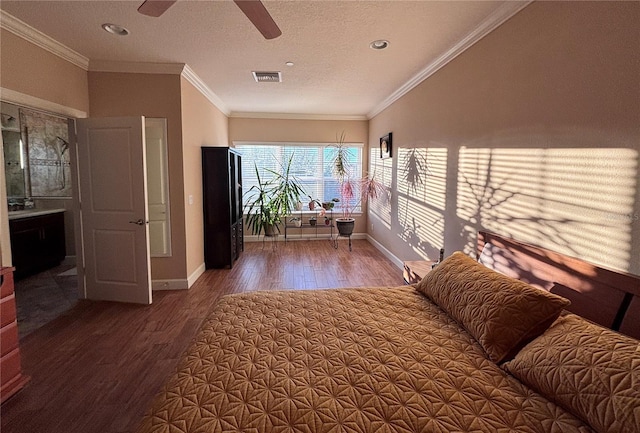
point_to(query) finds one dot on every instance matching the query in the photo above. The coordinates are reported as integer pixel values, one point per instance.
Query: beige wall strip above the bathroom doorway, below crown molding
(31, 70)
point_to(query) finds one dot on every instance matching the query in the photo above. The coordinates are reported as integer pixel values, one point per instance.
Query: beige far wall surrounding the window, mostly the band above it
(312, 131)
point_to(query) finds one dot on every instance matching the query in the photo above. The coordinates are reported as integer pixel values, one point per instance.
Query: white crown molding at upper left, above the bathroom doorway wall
(36, 37)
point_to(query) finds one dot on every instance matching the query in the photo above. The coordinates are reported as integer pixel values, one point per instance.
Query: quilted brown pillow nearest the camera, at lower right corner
(589, 370)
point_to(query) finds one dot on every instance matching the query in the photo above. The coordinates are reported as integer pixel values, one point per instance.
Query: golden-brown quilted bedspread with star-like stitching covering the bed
(346, 360)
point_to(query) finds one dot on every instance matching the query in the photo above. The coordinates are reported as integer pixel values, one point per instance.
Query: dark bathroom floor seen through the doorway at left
(42, 297)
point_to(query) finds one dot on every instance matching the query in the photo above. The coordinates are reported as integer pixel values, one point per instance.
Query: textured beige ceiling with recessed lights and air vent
(334, 73)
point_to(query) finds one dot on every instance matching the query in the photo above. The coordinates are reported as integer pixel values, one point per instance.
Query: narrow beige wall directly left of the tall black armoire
(202, 125)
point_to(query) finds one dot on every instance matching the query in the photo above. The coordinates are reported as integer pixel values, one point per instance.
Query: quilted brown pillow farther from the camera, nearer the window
(501, 313)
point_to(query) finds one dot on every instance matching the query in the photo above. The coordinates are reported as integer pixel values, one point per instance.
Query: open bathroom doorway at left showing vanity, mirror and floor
(37, 173)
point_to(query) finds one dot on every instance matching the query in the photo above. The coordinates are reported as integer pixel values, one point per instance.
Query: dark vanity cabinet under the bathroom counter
(37, 243)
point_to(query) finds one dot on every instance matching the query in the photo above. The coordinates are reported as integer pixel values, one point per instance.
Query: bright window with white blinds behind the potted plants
(311, 165)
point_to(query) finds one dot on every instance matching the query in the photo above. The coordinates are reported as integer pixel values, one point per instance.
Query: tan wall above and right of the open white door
(151, 95)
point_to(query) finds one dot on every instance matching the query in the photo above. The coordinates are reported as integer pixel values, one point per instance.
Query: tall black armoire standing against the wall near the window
(222, 202)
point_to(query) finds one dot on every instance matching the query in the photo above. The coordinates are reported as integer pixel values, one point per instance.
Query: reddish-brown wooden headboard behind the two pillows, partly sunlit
(609, 298)
